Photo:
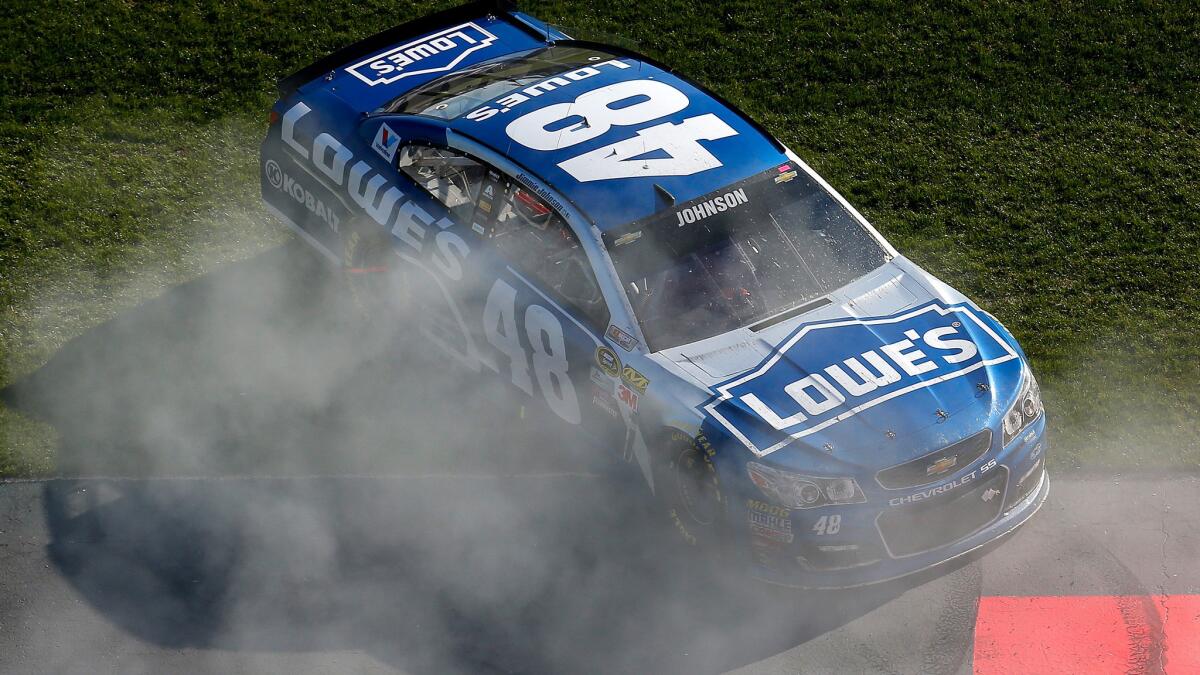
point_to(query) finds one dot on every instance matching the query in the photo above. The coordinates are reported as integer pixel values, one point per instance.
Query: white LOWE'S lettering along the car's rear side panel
(377, 196)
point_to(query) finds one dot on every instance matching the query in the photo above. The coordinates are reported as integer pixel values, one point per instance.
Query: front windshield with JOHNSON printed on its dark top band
(739, 256)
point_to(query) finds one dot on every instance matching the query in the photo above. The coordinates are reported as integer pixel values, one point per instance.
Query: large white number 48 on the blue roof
(640, 156)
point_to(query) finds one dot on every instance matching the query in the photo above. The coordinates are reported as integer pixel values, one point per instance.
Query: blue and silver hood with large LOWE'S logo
(896, 366)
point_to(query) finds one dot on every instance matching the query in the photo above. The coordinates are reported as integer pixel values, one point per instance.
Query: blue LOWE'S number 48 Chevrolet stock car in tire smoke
(657, 273)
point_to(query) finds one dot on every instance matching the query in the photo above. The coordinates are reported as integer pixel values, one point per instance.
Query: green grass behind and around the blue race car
(1042, 158)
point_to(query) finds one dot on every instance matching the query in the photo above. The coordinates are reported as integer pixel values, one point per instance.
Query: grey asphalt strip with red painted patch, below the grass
(119, 576)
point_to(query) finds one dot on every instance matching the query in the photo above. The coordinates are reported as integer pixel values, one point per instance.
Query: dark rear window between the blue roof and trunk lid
(454, 95)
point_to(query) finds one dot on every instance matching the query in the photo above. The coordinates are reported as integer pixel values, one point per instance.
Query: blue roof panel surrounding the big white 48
(613, 204)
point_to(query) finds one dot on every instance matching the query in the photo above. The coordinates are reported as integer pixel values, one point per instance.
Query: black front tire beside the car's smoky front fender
(688, 486)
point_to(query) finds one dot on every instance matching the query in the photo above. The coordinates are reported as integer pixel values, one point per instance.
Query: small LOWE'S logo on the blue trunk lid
(434, 53)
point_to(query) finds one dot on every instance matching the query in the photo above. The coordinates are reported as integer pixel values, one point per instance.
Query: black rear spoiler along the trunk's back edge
(416, 28)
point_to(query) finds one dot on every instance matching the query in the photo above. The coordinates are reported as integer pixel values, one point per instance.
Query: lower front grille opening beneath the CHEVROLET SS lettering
(932, 524)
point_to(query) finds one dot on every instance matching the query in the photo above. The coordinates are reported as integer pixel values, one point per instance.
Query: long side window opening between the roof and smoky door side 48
(525, 230)
